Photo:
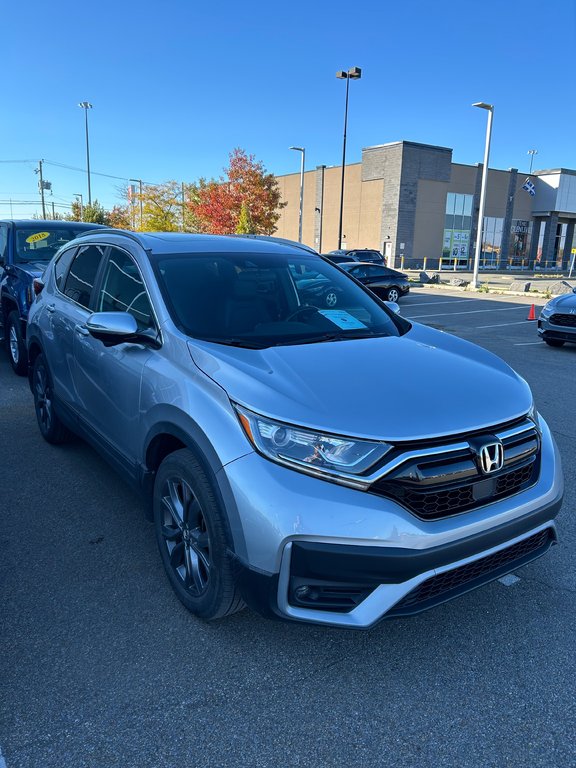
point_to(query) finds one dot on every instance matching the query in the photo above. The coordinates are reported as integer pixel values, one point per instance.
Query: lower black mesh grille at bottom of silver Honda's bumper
(445, 585)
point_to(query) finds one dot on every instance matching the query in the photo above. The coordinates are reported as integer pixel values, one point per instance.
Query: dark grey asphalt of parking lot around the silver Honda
(101, 666)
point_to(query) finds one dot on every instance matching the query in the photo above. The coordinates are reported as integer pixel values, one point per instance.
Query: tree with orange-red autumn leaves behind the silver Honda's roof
(217, 206)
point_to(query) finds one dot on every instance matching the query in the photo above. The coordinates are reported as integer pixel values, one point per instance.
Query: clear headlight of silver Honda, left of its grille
(340, 459)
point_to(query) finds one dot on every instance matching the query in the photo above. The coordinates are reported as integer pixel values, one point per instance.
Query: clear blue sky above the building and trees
(177, 85)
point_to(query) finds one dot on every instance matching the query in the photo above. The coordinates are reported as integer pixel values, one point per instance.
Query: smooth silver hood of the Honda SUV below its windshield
(421, 385)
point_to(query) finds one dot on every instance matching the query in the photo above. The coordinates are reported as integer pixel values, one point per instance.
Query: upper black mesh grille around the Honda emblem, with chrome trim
(438, 485)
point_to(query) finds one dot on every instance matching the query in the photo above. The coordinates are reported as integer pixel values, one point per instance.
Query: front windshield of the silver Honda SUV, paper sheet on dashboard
(262, 300)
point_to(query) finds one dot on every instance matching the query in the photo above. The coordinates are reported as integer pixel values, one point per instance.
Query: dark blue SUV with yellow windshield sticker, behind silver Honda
(26, 247)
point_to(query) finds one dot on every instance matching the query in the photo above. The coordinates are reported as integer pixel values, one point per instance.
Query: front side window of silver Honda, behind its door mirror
(123, 290)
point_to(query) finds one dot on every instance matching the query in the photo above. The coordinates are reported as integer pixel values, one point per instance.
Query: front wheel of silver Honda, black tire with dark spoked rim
(191, 532)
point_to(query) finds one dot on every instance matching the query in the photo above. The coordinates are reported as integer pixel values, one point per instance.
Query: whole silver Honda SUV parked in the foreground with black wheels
(213, 376)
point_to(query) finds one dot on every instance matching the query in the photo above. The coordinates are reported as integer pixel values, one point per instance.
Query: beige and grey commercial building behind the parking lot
(412, 203)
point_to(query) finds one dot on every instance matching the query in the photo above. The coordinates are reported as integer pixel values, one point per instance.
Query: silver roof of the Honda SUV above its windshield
(183, 242)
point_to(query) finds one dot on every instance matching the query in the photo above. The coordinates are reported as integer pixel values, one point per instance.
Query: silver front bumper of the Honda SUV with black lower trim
(313, 551)
